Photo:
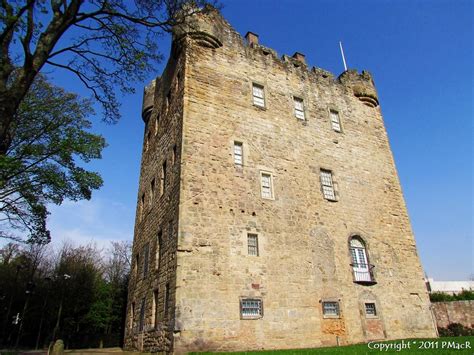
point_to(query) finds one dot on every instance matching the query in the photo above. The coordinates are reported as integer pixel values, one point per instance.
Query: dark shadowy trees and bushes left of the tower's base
(75, 281)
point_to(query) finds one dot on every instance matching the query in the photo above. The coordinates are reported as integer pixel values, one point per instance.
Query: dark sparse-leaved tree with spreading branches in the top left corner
(104, 43)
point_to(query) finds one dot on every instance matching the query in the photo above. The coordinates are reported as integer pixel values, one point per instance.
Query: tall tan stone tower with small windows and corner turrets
(270, 213)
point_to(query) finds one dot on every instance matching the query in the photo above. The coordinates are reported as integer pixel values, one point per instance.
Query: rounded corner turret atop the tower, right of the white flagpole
(362, 85)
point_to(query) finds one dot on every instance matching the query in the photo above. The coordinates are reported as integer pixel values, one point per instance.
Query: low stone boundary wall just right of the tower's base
(454, 312)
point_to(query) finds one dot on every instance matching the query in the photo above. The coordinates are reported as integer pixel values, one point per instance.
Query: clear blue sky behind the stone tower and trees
(420, 54)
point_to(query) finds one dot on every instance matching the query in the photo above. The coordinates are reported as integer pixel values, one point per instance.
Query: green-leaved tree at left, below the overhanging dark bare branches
(40, 166)
